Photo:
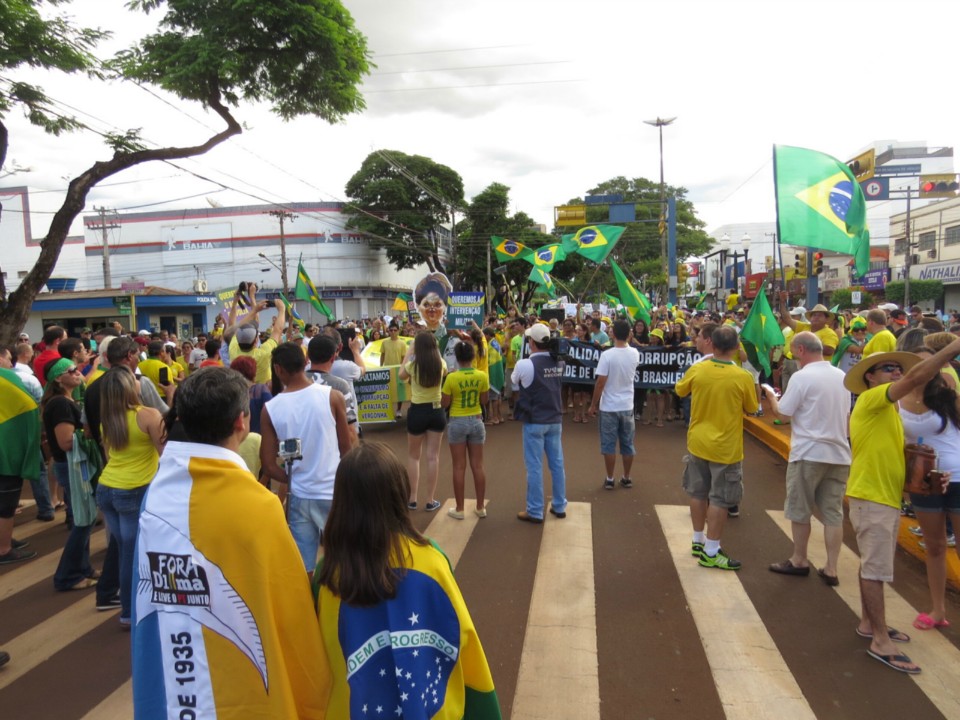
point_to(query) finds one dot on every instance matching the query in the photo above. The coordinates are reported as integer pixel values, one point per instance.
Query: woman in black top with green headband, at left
(61, 418)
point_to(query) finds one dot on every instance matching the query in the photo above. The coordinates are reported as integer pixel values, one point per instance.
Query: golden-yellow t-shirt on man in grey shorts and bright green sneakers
(720, 394)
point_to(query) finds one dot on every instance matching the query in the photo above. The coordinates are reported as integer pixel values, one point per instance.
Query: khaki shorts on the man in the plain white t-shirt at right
(815, 484)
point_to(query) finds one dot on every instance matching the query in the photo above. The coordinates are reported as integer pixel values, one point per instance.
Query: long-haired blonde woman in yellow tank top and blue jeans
(133, 438)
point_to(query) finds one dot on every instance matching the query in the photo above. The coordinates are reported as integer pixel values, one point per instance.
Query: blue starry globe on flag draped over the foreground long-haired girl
(399, 654)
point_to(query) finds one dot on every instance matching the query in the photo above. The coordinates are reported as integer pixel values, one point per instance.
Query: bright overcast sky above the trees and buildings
(547, 97)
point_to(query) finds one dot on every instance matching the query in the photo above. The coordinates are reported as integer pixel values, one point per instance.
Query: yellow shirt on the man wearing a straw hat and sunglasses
(876, 437)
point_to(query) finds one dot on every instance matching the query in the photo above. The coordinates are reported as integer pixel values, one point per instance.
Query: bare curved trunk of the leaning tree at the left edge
(14, 314)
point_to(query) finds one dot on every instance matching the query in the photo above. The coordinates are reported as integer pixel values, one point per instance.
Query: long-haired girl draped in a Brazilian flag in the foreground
(379, 577)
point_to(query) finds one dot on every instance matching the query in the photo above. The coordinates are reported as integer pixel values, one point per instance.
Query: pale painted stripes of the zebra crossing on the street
(560, 663)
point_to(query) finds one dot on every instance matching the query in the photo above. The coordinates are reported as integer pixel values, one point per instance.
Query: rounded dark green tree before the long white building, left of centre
(402, 203)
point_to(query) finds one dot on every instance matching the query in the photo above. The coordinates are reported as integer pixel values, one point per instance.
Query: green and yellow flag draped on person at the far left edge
(19, 428)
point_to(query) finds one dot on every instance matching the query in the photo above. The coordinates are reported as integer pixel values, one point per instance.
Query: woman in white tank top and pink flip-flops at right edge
(931, 412)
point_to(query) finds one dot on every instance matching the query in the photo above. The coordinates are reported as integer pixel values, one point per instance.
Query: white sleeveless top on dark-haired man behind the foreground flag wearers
(306, 414)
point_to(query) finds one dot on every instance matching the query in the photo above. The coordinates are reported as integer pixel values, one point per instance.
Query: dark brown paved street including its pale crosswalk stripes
(601, 615)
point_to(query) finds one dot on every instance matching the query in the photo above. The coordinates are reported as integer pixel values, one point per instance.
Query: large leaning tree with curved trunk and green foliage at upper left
(301, 57)
